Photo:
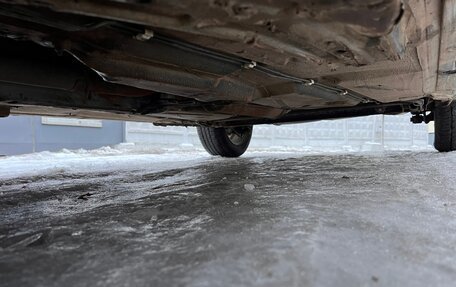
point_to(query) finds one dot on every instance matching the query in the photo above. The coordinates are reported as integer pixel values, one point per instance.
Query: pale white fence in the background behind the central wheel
(364, 133)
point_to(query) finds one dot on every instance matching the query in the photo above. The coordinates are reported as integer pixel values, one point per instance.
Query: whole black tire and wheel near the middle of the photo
(216, 141)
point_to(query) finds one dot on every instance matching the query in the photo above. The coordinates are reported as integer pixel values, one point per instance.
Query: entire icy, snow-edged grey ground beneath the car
(178, 217)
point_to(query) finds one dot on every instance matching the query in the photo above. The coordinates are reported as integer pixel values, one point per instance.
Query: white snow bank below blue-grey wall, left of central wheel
(102, 159)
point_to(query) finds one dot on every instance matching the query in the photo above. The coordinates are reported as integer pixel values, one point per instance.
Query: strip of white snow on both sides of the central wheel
(124, 157)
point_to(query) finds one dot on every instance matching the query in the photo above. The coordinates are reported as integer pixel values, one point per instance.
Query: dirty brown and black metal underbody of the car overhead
(220, 61)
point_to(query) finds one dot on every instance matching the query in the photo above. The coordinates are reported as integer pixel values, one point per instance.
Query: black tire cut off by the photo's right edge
(445, 126)
